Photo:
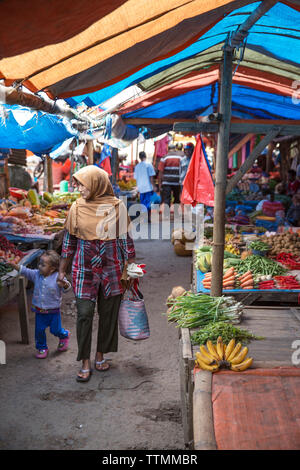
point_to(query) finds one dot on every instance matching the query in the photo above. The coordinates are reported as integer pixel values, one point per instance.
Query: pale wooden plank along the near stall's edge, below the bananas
(203, 423)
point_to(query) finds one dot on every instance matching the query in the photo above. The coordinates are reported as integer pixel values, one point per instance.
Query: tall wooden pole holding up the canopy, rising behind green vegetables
(221, 174)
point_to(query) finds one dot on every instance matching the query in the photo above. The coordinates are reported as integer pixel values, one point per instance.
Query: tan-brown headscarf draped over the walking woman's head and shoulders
(100, 217)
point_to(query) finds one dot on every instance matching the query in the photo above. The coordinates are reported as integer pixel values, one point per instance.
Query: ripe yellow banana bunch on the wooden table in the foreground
(230, 356)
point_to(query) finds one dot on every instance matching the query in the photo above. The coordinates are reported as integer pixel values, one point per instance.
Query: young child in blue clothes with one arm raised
(46, 301)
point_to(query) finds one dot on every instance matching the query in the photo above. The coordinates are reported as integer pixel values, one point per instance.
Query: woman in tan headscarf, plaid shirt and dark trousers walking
(96, 235)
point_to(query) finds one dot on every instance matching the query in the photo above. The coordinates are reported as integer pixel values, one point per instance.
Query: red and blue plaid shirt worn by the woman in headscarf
(97, 262)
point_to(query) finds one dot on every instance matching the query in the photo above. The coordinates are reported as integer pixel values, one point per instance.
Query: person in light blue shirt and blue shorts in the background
(144, 175)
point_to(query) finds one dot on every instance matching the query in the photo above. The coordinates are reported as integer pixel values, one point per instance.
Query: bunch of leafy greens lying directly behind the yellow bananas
(227, 330)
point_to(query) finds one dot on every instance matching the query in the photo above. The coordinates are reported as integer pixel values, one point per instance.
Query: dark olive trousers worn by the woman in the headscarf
(107, 338)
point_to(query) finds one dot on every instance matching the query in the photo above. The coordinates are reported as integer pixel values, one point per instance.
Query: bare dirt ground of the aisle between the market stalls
(134, 405)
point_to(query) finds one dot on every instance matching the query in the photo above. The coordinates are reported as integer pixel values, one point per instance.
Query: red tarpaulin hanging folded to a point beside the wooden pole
(198, 186)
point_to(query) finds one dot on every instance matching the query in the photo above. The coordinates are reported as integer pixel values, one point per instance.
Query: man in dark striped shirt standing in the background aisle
(169, 176)
